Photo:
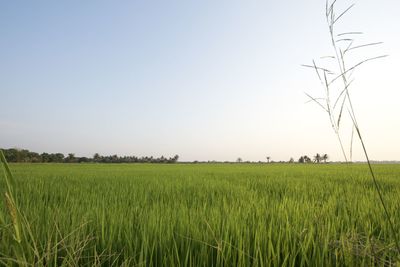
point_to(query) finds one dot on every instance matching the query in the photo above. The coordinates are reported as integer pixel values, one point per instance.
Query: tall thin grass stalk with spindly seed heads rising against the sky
(340, 78)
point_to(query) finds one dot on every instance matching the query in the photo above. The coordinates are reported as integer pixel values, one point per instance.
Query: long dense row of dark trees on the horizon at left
(24, 155)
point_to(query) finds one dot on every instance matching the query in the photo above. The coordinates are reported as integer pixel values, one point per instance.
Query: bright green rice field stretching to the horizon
(201, 215)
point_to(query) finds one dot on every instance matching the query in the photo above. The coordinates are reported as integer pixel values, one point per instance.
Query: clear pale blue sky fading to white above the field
(208, 80)
